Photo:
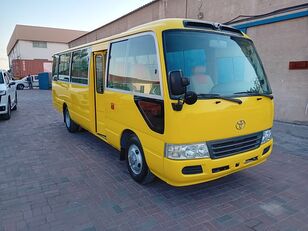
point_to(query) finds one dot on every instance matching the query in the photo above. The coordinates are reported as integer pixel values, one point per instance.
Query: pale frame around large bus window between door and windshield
(153, 34)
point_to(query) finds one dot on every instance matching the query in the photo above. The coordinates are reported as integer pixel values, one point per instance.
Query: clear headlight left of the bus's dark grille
(186, 151)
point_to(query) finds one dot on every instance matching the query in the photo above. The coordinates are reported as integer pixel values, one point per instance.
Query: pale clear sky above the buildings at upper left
(83, 15)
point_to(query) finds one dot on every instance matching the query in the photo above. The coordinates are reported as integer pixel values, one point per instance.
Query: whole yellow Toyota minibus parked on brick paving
(187, 101)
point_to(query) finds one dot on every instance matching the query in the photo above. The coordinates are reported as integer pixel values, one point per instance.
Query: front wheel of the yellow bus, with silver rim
(141, 174)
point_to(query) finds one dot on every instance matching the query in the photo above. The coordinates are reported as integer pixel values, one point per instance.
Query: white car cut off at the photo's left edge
(8, 95)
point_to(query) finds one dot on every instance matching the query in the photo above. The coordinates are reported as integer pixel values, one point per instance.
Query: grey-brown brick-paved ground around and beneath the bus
(53, 180)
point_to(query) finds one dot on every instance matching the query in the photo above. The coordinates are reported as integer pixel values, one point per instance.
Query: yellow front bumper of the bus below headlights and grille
(212, 168)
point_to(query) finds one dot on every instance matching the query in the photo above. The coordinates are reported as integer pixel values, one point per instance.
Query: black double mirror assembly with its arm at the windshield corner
(178, 87)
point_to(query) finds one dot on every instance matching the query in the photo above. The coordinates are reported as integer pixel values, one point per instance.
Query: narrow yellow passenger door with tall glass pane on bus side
(100, 101)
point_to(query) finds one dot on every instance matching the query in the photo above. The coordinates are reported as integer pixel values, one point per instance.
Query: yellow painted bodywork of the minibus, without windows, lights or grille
(204, 121)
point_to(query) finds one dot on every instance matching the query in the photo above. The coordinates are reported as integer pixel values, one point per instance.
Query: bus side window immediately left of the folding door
(80, 64)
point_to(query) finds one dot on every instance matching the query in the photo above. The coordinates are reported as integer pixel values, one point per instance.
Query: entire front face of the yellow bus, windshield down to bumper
(228, 128)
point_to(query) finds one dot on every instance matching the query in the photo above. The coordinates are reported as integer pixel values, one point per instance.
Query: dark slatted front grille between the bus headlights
(232, 146)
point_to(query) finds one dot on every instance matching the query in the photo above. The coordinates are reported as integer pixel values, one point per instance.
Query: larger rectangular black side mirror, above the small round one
(177, 83)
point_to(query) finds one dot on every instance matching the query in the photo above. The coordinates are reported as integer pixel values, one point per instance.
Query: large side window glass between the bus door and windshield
(133, 66)
